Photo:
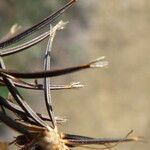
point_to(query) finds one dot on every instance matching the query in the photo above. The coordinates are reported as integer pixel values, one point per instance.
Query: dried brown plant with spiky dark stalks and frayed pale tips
(33, 127)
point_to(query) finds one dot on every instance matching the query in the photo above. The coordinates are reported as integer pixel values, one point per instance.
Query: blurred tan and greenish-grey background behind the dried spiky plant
(115, 99)
